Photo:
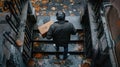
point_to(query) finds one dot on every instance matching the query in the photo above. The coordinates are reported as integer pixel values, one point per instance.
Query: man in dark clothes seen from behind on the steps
(60, 31)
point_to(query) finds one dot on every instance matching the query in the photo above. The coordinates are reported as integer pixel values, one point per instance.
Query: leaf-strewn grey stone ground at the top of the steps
(74, 8)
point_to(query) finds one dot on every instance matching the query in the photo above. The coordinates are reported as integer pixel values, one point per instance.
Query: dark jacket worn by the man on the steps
(60, 31)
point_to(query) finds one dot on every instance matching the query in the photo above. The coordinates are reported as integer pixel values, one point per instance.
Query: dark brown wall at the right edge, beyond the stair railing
(114, 23)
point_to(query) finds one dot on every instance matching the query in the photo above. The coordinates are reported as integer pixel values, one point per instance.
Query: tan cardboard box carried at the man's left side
(44, 28)
